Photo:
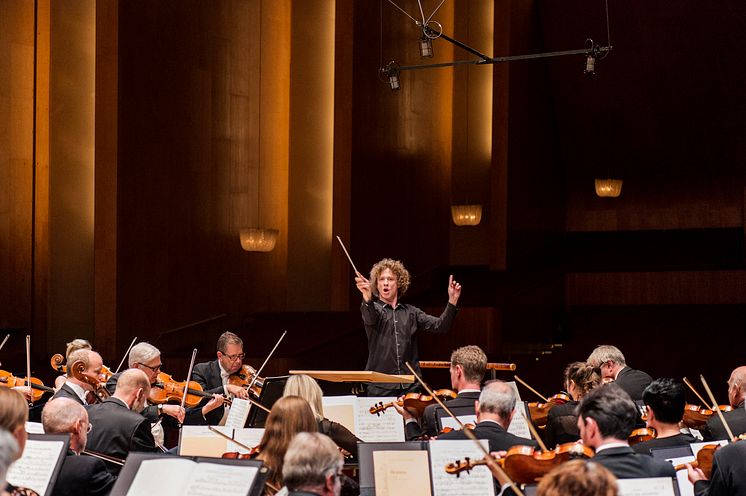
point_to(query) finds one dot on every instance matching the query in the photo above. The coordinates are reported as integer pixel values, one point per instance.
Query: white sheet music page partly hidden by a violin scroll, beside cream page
(477, 482)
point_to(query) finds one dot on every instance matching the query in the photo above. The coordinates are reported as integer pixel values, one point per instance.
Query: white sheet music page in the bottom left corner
(34, 469)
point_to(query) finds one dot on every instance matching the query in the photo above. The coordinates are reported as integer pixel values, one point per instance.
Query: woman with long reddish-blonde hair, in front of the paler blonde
(289, 416)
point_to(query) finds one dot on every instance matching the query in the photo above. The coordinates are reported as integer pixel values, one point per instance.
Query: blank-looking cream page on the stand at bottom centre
(401, 472)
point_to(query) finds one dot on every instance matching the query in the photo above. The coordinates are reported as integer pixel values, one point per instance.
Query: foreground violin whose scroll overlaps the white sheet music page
(526, 464)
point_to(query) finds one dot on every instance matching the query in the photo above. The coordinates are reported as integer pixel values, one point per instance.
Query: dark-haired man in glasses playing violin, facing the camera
(213, 376)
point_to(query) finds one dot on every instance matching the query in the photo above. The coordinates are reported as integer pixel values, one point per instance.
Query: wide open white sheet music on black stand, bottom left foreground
(179, 476)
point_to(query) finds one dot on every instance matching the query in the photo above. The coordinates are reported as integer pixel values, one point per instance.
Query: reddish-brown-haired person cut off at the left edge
(13, 418)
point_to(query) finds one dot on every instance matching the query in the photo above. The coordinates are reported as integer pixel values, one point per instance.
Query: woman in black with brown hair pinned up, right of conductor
(562, 420)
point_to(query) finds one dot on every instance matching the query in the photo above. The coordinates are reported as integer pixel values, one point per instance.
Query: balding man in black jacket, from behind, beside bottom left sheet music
(79, 475)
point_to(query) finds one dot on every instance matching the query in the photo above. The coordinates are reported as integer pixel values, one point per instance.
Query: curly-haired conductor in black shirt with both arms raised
(391, 326)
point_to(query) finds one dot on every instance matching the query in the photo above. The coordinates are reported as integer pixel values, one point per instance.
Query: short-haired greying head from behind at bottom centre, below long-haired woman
(312, 466)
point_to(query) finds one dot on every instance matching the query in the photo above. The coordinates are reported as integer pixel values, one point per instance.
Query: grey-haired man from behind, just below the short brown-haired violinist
(495, 410)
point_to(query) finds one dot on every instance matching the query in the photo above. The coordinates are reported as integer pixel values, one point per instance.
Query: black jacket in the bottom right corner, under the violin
(728, 473)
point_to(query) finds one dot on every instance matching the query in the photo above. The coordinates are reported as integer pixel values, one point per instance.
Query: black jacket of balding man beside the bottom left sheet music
(83, 476)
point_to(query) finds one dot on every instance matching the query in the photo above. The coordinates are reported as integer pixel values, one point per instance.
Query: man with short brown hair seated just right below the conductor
(468, 365)
